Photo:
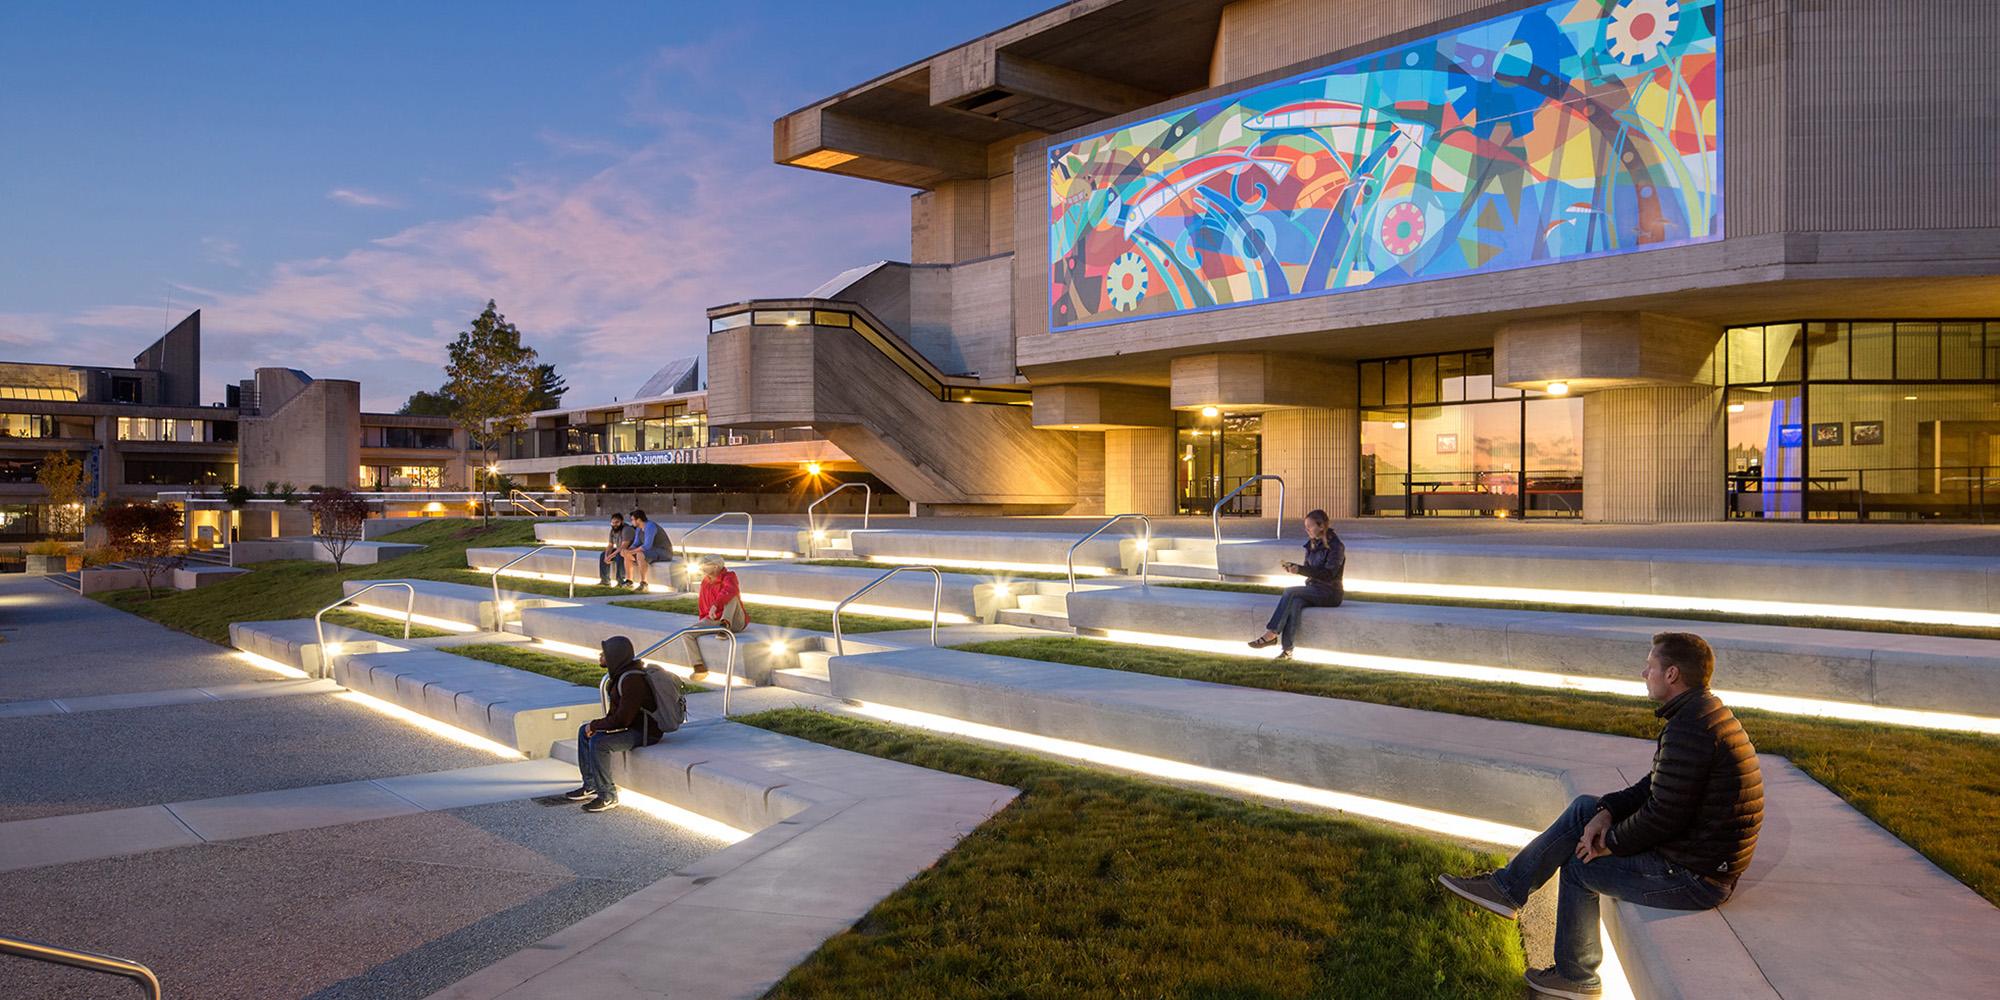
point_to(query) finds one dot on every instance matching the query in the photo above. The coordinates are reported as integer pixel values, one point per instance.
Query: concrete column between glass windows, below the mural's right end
(1653, 455)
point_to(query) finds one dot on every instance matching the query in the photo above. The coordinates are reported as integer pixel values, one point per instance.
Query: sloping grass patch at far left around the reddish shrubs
(297, 589)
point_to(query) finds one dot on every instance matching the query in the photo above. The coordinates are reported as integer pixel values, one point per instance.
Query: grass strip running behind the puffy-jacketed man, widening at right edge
(1937, 791)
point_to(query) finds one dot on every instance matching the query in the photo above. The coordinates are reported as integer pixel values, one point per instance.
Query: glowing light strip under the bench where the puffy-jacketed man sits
(1445, 823)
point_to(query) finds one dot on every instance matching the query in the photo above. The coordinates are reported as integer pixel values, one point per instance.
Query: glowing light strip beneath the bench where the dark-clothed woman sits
(1539, 679)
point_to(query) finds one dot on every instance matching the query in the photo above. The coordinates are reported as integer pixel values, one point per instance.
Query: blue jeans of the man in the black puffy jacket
(1645, 879)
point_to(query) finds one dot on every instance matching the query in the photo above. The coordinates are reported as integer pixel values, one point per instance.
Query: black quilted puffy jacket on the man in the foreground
(1705, 799)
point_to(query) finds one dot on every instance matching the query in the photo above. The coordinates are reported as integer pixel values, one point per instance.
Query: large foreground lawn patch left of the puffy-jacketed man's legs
(1095, 885)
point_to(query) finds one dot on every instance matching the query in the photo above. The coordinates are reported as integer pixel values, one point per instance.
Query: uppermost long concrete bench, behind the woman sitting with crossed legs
(1855, 581)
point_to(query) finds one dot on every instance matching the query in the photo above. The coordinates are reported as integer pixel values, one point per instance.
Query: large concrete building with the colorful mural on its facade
(1635, 263)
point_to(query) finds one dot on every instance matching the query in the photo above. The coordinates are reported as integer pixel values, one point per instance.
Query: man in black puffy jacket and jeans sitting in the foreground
(1679, 839)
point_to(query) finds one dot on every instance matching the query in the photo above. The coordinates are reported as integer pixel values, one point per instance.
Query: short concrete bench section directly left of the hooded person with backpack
(517, 709)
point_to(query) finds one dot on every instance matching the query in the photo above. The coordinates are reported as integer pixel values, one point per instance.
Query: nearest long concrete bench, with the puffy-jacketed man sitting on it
(1833, 907)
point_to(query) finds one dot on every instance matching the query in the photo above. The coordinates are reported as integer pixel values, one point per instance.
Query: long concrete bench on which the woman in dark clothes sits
(1893, 671)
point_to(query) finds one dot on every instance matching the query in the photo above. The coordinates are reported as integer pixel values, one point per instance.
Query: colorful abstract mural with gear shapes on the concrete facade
(1565, 131)
